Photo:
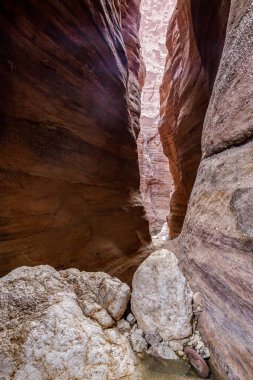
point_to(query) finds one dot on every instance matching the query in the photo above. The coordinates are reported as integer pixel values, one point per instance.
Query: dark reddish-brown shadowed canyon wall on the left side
(68, 163)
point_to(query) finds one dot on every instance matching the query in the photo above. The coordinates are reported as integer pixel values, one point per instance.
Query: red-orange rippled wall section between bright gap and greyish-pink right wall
(195, 39)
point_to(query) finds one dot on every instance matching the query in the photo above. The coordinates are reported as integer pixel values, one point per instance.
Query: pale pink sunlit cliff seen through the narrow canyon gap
(156, 180)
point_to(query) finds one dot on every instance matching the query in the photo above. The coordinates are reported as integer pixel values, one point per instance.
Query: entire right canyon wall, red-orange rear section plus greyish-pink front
(216, 244)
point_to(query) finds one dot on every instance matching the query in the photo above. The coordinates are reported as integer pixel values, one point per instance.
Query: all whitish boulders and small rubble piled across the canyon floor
(77, 325)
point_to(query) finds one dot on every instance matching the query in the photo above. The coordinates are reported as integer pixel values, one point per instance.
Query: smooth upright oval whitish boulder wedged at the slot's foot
(161, 298)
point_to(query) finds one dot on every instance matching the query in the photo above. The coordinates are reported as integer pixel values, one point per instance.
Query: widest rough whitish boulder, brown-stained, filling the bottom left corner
(53, 325)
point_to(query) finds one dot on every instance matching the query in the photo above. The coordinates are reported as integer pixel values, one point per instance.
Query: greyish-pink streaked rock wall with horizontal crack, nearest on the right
(216, 243)
